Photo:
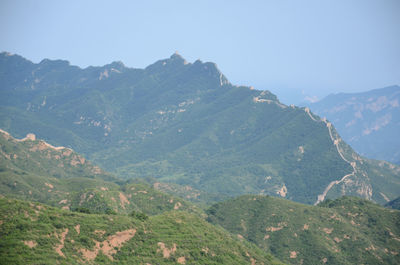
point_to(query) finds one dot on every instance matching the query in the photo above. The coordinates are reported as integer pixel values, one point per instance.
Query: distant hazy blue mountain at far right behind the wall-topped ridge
(368, 121)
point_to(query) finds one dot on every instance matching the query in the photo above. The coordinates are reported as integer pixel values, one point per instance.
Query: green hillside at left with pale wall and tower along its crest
(34, 170)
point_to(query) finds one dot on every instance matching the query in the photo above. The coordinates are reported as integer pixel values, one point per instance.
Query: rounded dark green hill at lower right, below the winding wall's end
(344, 231)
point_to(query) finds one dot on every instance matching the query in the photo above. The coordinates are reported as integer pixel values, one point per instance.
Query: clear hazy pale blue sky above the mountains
(293, 48)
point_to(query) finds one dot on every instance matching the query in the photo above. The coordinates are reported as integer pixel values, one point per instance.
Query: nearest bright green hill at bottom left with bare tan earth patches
(32, 233)
